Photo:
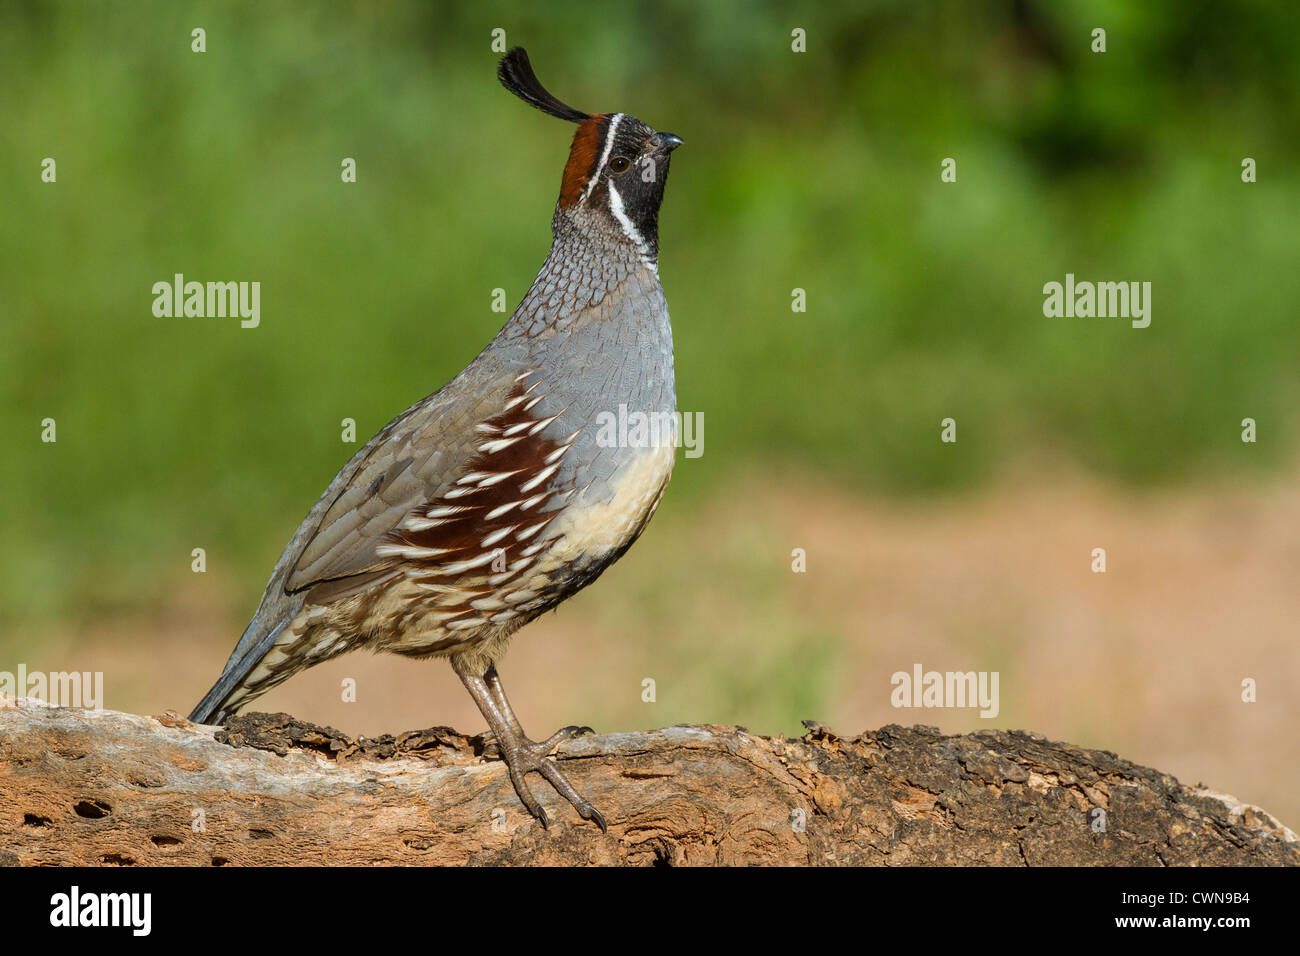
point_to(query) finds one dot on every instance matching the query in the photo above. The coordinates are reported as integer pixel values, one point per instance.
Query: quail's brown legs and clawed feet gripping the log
(523, 755)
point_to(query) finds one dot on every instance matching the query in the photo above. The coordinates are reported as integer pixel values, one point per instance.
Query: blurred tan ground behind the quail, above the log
(1146, 660)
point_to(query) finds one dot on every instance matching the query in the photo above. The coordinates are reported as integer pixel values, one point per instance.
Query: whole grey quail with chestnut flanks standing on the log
(500, 496)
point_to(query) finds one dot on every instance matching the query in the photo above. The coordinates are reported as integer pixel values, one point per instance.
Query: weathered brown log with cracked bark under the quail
(81, 788)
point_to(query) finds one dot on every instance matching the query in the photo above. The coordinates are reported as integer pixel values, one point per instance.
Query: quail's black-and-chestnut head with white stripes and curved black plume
(618, 167)
